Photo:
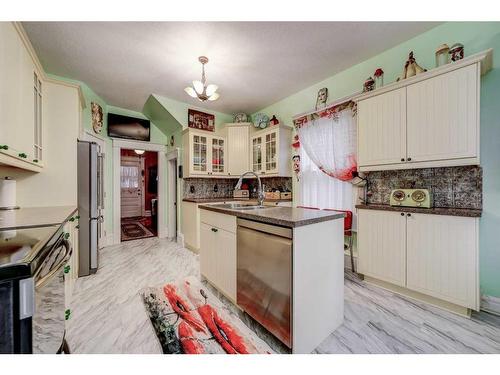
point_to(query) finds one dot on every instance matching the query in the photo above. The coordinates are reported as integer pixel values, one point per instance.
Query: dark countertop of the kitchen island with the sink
(284, 216)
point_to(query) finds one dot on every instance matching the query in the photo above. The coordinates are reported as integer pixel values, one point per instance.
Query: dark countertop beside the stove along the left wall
(35, 217)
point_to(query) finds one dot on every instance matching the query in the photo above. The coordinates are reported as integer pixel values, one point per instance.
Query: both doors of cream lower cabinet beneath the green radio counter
(435, 255)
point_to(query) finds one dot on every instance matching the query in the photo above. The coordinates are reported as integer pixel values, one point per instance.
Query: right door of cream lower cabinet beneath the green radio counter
(442, 258)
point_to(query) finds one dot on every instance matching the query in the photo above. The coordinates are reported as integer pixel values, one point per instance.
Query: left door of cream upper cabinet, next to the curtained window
(382, 129)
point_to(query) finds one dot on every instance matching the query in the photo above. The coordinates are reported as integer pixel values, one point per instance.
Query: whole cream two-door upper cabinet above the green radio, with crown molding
(429, 120)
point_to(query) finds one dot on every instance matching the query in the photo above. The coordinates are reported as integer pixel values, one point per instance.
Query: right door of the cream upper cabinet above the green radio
(443, 116)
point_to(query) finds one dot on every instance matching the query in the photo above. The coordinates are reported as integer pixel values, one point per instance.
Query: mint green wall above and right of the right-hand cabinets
(476, 36)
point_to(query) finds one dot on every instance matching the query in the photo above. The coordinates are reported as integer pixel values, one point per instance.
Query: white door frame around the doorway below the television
(118, 144)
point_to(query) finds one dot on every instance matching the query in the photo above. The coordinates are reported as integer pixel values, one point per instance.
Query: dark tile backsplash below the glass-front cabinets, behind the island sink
(223, 187)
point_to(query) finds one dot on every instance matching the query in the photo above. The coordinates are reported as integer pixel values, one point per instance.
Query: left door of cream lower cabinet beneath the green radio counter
(381, 245)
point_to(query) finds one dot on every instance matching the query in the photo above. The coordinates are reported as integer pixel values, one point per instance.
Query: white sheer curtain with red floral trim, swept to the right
(329, 138)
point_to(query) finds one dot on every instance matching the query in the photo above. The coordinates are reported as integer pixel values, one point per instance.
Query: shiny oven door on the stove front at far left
(49, 316)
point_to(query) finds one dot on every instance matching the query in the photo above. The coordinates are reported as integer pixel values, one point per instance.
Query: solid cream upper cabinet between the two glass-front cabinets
(238, 152)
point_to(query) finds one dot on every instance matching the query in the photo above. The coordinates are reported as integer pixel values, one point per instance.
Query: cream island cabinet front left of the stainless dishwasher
(218, 251)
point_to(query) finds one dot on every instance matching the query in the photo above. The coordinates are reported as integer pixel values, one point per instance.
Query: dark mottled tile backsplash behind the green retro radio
(454, 187)
